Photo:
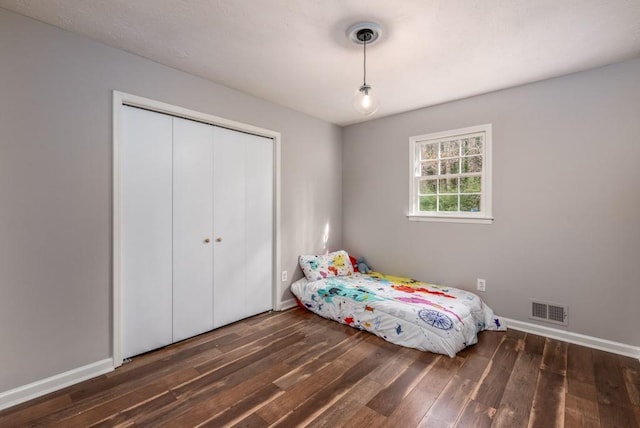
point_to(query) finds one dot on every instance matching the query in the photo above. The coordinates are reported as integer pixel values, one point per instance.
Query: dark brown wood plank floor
(294, 368)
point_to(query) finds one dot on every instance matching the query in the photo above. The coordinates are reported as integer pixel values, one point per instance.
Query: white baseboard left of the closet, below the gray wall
(44, 386)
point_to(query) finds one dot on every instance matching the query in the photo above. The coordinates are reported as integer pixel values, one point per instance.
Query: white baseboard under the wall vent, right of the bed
(576, 338)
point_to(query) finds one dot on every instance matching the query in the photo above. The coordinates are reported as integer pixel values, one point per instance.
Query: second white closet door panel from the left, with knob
(192, 228)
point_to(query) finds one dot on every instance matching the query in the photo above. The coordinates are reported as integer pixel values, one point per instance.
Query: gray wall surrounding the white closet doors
(55, 187)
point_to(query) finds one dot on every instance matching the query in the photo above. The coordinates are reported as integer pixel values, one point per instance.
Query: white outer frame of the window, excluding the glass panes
(484, 216)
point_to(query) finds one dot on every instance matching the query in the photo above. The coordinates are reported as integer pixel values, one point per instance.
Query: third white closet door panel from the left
(229, 214)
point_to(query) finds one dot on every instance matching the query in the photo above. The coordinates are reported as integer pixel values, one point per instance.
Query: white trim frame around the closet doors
(121, 99)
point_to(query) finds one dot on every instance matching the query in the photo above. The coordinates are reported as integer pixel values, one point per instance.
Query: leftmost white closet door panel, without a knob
(146, 161)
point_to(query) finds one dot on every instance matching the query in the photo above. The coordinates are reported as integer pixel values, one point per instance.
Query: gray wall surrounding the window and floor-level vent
(566, 197)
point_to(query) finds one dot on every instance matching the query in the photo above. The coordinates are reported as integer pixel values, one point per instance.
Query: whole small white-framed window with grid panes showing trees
(451, 176)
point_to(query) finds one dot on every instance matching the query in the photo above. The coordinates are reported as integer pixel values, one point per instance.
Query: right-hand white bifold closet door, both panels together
(243, 170)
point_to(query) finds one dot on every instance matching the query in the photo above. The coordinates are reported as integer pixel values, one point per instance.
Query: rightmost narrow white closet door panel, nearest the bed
(259, 224)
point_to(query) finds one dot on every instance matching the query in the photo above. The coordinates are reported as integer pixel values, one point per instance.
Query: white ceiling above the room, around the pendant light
(295, 52)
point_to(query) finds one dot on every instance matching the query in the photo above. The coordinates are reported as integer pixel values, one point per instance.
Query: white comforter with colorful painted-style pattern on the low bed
(401, 310)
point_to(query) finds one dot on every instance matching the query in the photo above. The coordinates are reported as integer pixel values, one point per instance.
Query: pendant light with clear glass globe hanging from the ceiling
(365, 98)
